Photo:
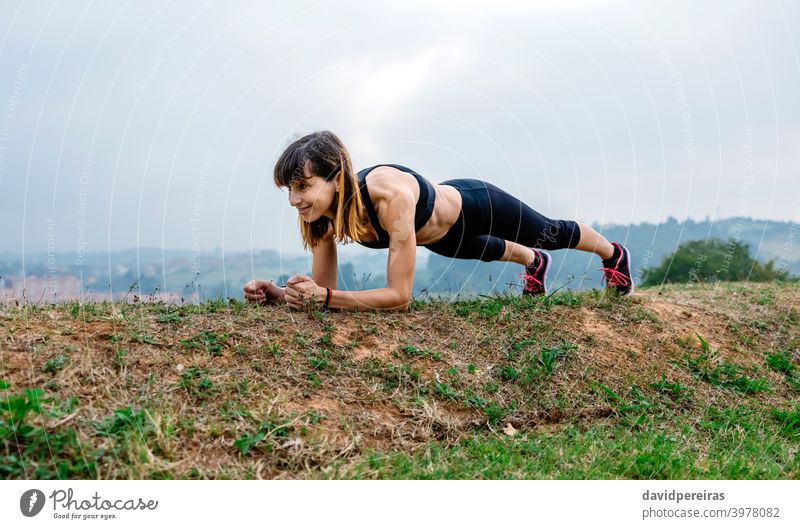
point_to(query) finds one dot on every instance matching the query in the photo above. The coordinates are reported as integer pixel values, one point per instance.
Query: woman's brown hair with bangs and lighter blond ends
(327, 156)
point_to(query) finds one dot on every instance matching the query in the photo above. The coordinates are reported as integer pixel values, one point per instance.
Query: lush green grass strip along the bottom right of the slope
(742, 444)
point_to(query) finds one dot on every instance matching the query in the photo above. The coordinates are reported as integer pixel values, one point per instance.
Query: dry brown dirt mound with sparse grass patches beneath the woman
(235, 390)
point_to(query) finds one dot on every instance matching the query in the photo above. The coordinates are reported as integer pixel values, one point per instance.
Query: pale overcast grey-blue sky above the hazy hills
(157, 123)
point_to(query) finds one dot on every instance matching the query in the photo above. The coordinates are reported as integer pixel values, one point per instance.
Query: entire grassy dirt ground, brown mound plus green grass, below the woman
(682, 382)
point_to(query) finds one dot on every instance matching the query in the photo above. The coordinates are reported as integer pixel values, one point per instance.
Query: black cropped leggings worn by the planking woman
(490, 216)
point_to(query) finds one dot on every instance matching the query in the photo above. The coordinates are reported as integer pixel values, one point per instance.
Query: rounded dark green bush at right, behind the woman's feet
(712, 260)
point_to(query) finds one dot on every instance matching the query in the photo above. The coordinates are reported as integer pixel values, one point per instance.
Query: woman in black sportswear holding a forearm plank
(391, 206)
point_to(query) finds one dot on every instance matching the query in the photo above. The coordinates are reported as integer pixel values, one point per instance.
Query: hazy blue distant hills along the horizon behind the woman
(209, 275)
